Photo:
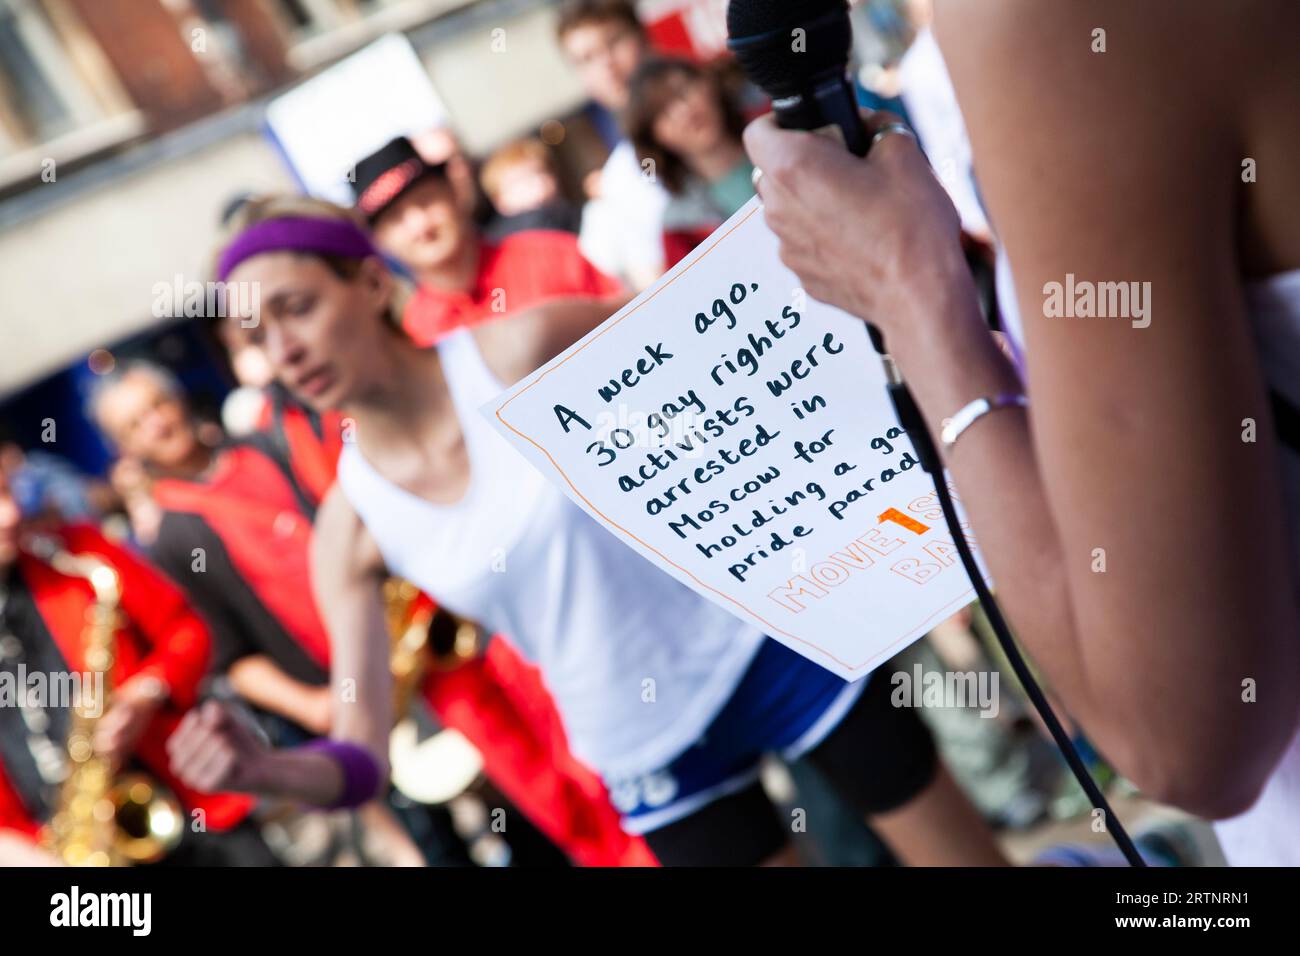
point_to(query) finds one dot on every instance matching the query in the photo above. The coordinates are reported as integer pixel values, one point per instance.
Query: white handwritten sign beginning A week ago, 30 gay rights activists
(738, 435)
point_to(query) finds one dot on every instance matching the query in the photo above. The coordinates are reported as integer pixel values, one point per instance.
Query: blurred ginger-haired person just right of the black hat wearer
(522, 184)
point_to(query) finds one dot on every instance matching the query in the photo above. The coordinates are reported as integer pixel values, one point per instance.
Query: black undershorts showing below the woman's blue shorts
(877, 759)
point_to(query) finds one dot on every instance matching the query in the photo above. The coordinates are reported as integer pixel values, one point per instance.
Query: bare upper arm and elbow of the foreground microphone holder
(1129, 174)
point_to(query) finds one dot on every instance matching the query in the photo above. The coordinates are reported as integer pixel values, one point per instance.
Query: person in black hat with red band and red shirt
(462, 279)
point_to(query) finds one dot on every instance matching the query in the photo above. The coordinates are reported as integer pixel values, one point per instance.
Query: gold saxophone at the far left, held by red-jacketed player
(103, 820)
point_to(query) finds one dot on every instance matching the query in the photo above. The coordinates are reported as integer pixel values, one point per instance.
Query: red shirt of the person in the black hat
(526, 270)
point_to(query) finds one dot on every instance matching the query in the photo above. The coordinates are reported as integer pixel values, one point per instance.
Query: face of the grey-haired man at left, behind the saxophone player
(150, 426)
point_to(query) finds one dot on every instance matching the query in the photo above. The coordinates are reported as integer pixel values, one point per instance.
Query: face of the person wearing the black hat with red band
(431, 232)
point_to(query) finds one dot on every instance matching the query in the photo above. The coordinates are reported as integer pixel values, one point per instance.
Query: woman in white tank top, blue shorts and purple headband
(673, 700)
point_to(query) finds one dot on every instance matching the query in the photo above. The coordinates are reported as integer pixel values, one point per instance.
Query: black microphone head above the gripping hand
(775, 58)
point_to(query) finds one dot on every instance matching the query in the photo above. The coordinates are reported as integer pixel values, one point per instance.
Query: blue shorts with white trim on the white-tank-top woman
(785, 704)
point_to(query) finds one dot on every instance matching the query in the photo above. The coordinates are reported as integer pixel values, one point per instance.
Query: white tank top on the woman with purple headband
(639, 665)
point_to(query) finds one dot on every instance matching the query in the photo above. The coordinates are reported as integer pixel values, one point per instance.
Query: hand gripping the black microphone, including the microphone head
(874, 236)
